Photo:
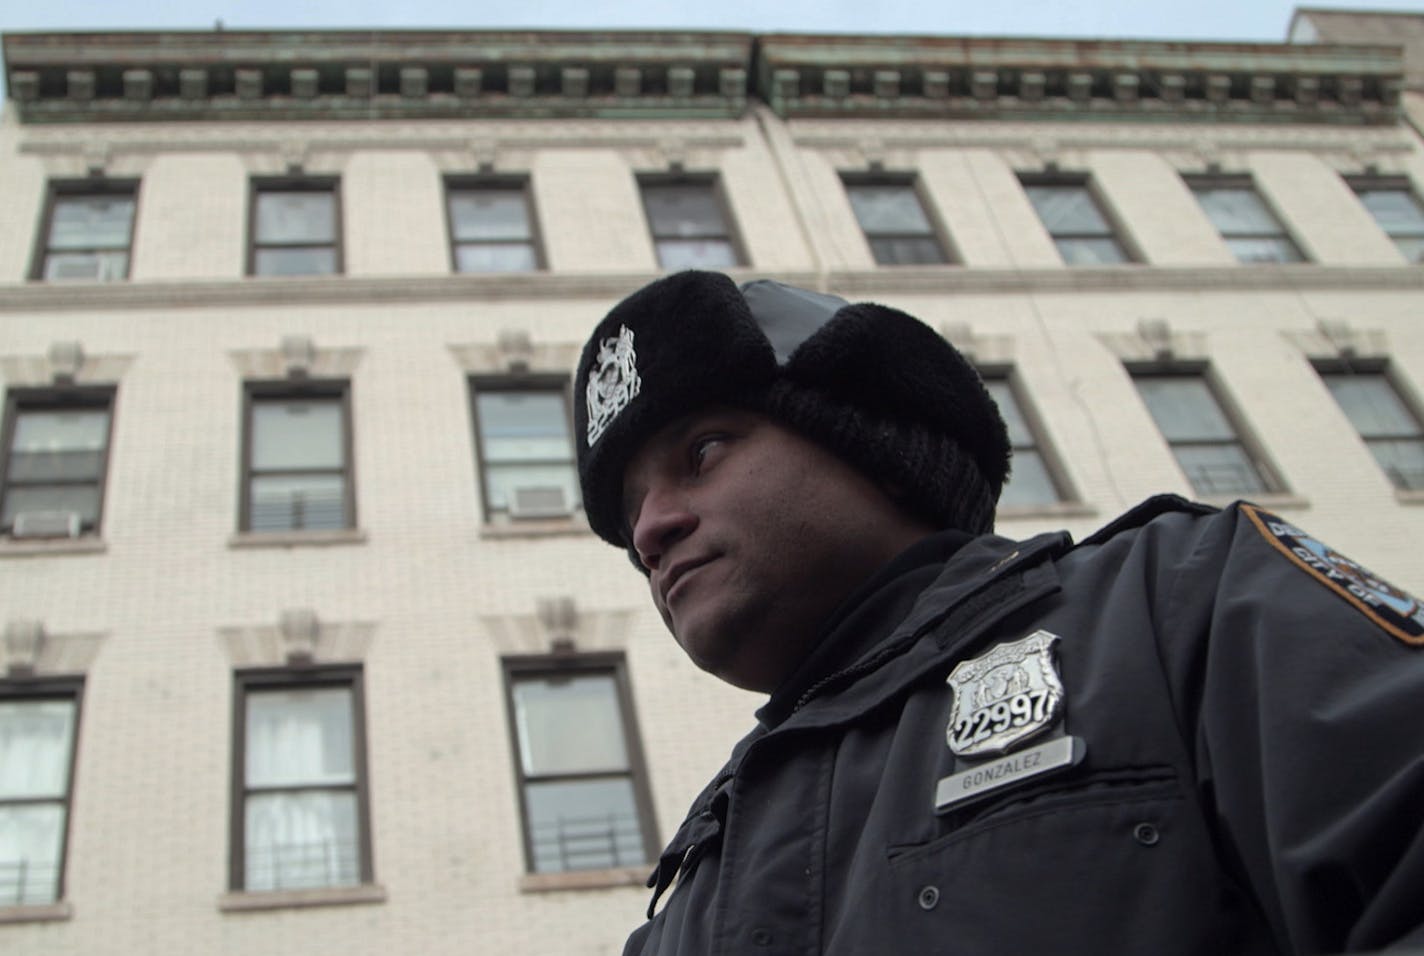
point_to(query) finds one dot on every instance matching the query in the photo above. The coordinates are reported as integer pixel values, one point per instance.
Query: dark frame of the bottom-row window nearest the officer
(572, 665)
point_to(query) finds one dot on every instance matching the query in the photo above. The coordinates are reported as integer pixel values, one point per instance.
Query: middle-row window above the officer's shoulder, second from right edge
(1204, 440)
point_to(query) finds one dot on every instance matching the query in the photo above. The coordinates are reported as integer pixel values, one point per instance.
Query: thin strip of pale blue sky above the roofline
(1260, 21)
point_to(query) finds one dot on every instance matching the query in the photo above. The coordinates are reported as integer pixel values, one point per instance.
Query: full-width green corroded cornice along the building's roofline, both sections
(69, 78)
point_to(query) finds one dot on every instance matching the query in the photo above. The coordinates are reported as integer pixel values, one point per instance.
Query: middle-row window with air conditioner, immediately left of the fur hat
(526, 450)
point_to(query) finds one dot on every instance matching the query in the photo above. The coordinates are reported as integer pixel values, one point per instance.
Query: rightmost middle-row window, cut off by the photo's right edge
(1381, 415)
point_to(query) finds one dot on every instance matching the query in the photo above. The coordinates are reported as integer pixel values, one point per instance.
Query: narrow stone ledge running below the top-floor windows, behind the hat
(943, 280)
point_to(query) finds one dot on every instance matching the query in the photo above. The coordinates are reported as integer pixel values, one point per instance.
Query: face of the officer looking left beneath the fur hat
(753, 536)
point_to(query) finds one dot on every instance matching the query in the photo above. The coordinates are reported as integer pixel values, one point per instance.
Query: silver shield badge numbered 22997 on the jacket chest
(1005, 697)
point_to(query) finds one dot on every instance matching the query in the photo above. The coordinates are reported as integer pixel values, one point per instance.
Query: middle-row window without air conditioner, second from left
(298, 458)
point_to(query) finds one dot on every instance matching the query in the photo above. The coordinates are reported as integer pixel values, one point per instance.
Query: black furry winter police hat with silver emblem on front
(874, 385)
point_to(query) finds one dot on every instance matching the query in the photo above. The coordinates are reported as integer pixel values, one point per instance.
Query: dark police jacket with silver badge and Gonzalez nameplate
(1234, 763)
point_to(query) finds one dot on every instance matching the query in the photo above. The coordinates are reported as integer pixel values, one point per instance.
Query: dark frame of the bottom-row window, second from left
(266, 679)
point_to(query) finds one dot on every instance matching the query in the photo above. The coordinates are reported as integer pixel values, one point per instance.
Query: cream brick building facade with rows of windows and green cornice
(307, 645)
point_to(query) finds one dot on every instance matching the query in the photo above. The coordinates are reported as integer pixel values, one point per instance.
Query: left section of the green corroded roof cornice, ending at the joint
(375, 75)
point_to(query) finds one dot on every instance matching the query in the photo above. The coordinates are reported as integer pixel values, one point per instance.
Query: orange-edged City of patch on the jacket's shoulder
(1398, 613)
